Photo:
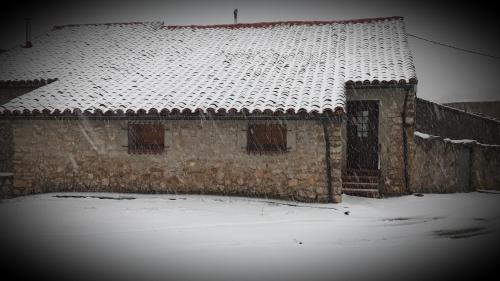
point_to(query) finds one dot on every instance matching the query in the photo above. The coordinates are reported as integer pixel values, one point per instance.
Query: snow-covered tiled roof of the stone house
(148, 67)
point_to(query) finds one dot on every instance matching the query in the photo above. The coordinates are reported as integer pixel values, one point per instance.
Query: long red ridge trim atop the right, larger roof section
(269, 24)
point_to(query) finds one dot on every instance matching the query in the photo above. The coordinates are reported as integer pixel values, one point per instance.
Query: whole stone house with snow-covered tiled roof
(295, 110)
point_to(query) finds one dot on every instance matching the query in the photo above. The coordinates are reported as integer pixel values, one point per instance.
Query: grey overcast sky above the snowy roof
(444, 74)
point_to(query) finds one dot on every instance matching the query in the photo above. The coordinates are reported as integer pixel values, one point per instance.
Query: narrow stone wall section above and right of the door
(391, 102)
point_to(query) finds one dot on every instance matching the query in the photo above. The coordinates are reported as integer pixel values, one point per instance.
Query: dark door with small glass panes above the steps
(362, 135)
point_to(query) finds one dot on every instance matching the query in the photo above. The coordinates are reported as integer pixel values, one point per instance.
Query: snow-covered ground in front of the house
(195, 237)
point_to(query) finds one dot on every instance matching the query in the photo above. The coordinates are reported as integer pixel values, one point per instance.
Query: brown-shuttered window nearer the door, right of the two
(266, 138)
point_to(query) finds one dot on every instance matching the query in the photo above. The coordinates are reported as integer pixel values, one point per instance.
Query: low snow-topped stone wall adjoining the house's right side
(437, 166)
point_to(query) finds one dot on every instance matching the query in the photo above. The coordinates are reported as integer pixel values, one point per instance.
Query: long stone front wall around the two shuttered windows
(201, 157)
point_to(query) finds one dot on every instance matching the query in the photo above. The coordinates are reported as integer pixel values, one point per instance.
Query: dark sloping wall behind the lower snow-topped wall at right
(439, 120)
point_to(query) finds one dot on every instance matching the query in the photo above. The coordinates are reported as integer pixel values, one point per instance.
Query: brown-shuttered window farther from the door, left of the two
(146, 138)
